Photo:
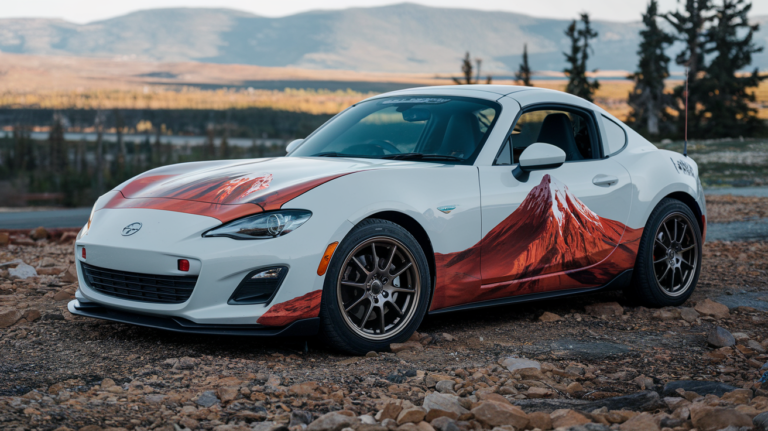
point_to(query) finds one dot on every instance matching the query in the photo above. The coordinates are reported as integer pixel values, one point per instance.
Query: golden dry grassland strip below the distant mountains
(52, 82)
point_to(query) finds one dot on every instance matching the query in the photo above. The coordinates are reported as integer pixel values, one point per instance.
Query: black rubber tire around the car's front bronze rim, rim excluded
(334, 328)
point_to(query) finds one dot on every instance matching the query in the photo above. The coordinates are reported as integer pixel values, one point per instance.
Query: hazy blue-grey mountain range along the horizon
(398, 38)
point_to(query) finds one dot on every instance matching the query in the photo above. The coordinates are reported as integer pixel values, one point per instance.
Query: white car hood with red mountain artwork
(229, 189)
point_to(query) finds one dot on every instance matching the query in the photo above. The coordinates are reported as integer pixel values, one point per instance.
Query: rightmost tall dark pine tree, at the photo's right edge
(726, 102)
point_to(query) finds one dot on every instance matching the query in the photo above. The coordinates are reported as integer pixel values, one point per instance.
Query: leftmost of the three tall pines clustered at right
(647, 99)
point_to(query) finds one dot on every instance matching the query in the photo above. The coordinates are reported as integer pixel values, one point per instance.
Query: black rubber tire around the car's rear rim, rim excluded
(645, 287)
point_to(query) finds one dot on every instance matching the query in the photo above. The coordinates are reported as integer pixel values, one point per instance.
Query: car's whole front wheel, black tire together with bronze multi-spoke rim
(352, 288)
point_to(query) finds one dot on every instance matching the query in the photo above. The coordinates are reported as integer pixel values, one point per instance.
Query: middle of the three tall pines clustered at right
(690, 25)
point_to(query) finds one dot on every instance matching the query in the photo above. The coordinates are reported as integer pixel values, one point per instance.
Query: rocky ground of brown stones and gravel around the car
(592, 362)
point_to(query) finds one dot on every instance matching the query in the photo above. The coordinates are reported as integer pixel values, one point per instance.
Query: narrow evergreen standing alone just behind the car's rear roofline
(578, 84)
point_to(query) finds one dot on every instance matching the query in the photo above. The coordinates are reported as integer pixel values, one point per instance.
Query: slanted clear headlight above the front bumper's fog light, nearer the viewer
(262, 226)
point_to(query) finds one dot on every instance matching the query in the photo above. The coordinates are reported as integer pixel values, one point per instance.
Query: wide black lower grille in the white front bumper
(167, 289)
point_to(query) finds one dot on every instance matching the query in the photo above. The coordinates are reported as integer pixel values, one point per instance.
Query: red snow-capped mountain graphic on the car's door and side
(551, 241)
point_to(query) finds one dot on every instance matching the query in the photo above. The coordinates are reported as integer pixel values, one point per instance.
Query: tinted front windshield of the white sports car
(434, 128)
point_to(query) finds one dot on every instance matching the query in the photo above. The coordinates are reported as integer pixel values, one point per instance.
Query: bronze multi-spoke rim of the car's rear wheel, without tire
(675, 253)
